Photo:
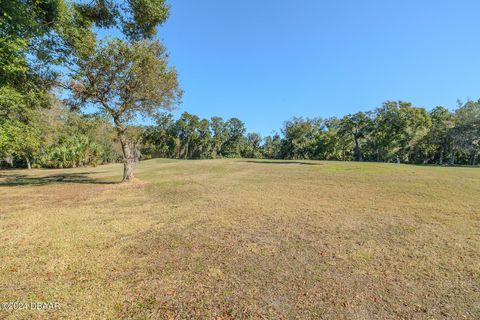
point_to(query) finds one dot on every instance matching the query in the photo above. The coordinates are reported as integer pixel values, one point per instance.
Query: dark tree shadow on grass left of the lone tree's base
(22, 180)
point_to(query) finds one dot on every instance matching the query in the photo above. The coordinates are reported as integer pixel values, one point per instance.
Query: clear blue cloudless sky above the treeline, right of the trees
(265, 61)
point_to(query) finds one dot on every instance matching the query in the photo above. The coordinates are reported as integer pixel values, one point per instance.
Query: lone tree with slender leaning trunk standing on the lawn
(127, 80)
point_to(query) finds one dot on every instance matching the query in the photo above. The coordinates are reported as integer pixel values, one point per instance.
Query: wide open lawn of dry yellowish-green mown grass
(240, 239)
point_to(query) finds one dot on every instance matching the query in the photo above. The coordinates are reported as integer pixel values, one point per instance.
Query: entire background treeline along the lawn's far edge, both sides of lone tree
(394, 132)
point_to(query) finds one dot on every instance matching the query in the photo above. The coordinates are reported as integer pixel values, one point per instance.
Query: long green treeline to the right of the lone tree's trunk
(394, 132)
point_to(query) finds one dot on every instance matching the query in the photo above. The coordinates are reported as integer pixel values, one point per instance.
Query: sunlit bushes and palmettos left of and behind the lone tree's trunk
(59, 138)
